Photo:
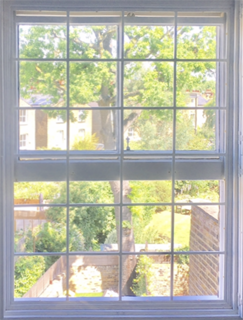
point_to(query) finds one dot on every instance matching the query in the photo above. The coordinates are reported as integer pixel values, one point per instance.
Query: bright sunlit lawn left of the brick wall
(161, 225)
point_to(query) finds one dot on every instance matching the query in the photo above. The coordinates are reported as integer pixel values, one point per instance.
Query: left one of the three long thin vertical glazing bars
(67, 162)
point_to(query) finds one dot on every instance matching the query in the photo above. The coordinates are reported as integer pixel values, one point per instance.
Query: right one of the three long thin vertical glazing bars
(173, 163)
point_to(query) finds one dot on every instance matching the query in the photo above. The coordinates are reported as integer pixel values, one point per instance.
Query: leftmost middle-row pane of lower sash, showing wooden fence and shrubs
(39, 229)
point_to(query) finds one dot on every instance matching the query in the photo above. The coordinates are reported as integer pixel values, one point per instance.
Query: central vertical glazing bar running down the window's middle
(122, 151)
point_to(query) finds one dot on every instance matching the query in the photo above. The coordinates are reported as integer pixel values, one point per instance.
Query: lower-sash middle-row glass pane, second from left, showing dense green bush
(93, 228)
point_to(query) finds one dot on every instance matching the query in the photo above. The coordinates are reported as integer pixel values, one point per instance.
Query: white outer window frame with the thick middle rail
(43, 309)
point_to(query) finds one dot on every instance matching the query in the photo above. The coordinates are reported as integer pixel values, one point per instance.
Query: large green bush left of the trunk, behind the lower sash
(93, 224)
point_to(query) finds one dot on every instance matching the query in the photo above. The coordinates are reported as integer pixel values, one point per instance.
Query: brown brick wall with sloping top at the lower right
(204, 236)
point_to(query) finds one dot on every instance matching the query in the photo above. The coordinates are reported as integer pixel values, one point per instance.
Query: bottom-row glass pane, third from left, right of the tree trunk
(146, 276)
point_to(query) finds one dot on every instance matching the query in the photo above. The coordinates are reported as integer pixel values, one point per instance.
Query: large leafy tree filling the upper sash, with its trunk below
(146, 84)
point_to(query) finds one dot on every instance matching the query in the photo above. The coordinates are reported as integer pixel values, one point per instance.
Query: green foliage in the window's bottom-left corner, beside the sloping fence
(27, 271)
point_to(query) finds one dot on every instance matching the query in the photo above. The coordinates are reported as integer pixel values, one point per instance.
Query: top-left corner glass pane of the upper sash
(42, 41)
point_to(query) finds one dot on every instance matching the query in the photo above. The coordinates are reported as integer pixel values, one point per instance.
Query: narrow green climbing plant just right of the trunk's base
(143, 280)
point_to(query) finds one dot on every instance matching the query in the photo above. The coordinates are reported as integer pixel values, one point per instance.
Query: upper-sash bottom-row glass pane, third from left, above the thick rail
(148, 129)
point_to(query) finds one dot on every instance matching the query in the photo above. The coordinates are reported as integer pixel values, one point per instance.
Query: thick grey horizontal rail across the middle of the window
(110, 170)
